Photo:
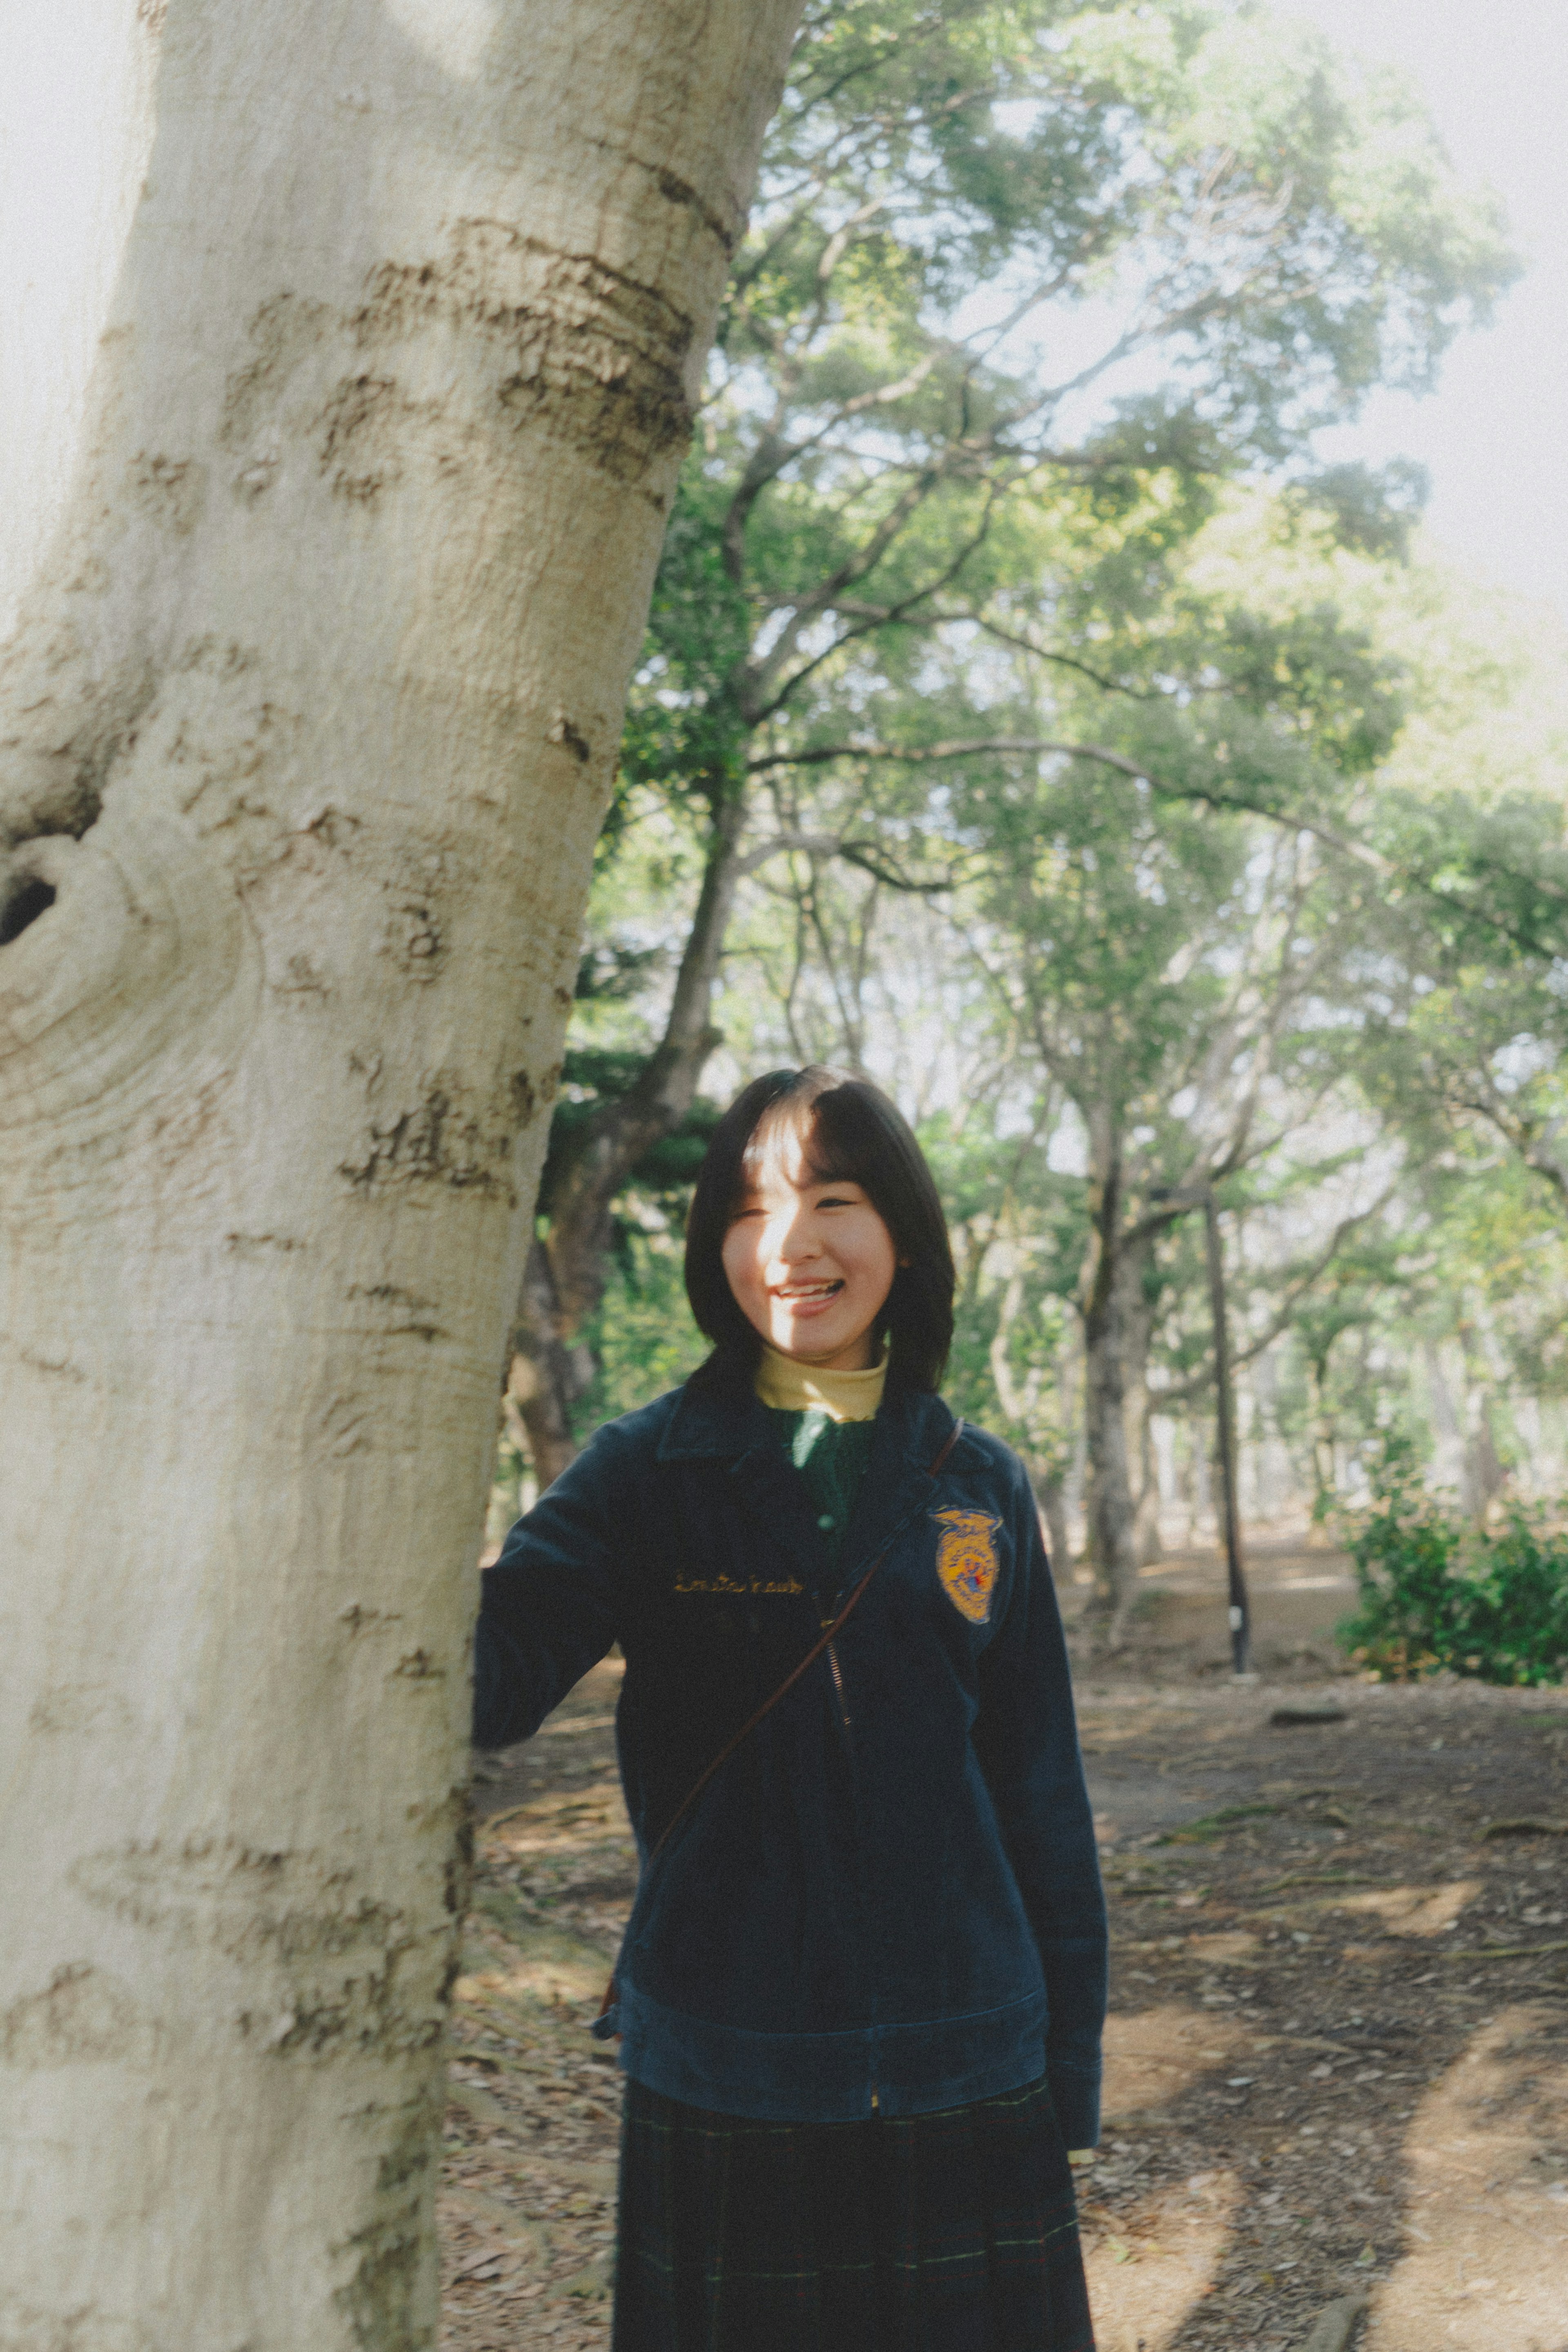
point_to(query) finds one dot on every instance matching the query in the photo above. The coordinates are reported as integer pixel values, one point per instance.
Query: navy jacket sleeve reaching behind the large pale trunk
(554, 1601)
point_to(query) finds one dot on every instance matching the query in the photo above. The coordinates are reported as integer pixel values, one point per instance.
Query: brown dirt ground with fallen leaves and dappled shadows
(1339, 2043)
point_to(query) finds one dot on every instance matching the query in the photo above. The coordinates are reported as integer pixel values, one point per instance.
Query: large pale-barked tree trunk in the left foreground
(340, 542)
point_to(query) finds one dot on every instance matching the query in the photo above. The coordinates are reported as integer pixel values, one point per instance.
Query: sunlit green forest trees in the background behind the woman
(1031, 721)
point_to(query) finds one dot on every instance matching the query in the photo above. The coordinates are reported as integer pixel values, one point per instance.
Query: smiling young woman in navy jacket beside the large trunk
(864, 1982)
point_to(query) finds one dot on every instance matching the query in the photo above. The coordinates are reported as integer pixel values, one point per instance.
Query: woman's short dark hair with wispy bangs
(847, 1132)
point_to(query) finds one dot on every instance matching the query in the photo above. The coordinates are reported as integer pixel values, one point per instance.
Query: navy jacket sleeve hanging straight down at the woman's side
(1028, 1746)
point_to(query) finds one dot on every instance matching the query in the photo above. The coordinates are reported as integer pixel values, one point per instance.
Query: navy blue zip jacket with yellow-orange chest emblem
(890, 1897)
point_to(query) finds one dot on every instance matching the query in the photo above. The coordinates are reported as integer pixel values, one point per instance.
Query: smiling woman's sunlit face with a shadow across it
(812, 1267)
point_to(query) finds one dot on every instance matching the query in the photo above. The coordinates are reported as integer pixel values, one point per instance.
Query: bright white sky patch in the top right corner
(1494, 436)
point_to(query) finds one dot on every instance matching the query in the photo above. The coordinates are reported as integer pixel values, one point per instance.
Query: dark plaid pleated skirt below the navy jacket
(934, 2233)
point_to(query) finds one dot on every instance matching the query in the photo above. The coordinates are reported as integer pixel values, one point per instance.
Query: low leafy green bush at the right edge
(1445, 1593)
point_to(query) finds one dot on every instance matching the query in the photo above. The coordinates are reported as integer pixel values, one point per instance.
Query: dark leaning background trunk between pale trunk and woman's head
(568, 1267)
